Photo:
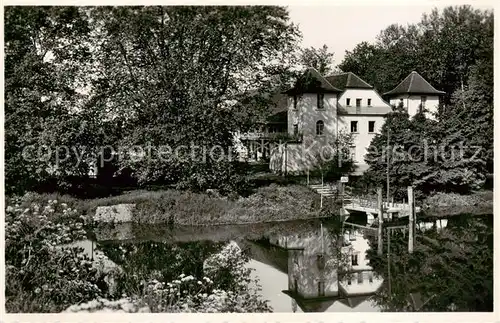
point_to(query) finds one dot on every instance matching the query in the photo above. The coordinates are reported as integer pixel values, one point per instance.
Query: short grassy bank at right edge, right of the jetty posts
(448, 204)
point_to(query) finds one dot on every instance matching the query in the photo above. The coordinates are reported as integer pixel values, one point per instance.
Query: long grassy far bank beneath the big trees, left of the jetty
(267, 203)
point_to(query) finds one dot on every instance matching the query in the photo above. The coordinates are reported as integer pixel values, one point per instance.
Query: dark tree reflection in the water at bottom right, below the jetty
(450, 269)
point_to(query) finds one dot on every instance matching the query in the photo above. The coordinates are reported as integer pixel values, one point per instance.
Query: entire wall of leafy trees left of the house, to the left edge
(85, 82)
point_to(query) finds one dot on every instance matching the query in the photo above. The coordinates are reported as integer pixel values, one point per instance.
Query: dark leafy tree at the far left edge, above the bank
(46, 61)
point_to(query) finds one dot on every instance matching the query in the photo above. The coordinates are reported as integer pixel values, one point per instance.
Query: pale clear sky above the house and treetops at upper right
(342, 27)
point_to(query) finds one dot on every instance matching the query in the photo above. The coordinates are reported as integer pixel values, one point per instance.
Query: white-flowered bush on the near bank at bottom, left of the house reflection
(224, 285)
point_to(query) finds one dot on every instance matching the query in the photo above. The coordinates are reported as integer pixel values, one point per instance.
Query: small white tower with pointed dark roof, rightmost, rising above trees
(414, 93)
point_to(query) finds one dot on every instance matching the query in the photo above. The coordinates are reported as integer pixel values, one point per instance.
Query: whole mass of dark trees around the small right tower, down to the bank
(453, 50)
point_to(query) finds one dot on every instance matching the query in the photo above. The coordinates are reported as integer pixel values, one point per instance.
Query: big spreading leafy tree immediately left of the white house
(184, 70)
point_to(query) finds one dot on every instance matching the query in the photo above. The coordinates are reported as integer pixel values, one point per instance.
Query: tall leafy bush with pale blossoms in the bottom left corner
(41, 276)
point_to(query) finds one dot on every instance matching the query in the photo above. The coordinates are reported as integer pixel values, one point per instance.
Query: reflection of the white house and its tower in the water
(315, 264)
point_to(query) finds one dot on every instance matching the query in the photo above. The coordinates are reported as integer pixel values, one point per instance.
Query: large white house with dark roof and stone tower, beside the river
(318, 109)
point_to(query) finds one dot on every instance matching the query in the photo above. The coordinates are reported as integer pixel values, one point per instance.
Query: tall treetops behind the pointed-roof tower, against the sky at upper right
(442, 47)
